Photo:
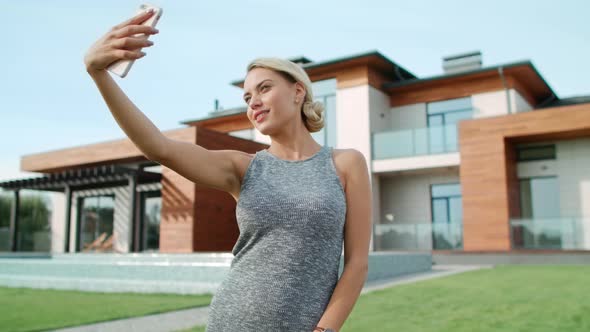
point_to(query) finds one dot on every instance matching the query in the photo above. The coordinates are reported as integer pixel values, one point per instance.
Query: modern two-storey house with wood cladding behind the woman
(477, 159)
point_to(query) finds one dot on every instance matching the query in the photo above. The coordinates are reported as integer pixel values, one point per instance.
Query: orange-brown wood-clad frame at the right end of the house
(488, 176)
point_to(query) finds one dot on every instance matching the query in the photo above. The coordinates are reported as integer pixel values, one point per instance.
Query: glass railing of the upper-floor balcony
(414, 142)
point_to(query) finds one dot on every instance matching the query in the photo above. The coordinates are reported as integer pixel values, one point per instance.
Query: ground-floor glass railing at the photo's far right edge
(551, 233)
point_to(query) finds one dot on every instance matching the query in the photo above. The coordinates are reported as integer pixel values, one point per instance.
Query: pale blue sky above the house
(48, 102)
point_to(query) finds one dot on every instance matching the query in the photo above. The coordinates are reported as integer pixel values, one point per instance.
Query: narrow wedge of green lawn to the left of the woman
(24, 309)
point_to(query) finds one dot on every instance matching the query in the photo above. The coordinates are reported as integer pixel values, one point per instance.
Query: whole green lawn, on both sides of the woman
(506, 298)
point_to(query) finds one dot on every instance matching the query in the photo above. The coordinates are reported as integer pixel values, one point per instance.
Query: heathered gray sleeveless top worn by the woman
(286, 260)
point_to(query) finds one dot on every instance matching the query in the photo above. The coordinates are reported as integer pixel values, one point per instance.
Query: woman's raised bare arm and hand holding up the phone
(212, 168)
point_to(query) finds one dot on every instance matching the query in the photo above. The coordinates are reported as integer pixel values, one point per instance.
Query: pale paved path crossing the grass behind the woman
(184, 319)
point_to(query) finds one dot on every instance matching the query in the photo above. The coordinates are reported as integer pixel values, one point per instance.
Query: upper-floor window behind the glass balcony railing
(442, 119)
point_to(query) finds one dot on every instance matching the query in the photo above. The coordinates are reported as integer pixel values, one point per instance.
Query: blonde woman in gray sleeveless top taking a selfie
(297, 201)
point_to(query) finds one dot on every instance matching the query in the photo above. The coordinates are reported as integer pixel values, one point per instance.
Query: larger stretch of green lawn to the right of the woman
(506, 298)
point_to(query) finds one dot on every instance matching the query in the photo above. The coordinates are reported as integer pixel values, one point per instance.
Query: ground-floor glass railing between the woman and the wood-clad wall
(419, 236)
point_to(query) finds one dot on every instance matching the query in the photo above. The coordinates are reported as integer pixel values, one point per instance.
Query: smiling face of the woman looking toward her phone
(272, 95)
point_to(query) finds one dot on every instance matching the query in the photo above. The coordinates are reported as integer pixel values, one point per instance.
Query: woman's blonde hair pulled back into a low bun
(312, 112)
